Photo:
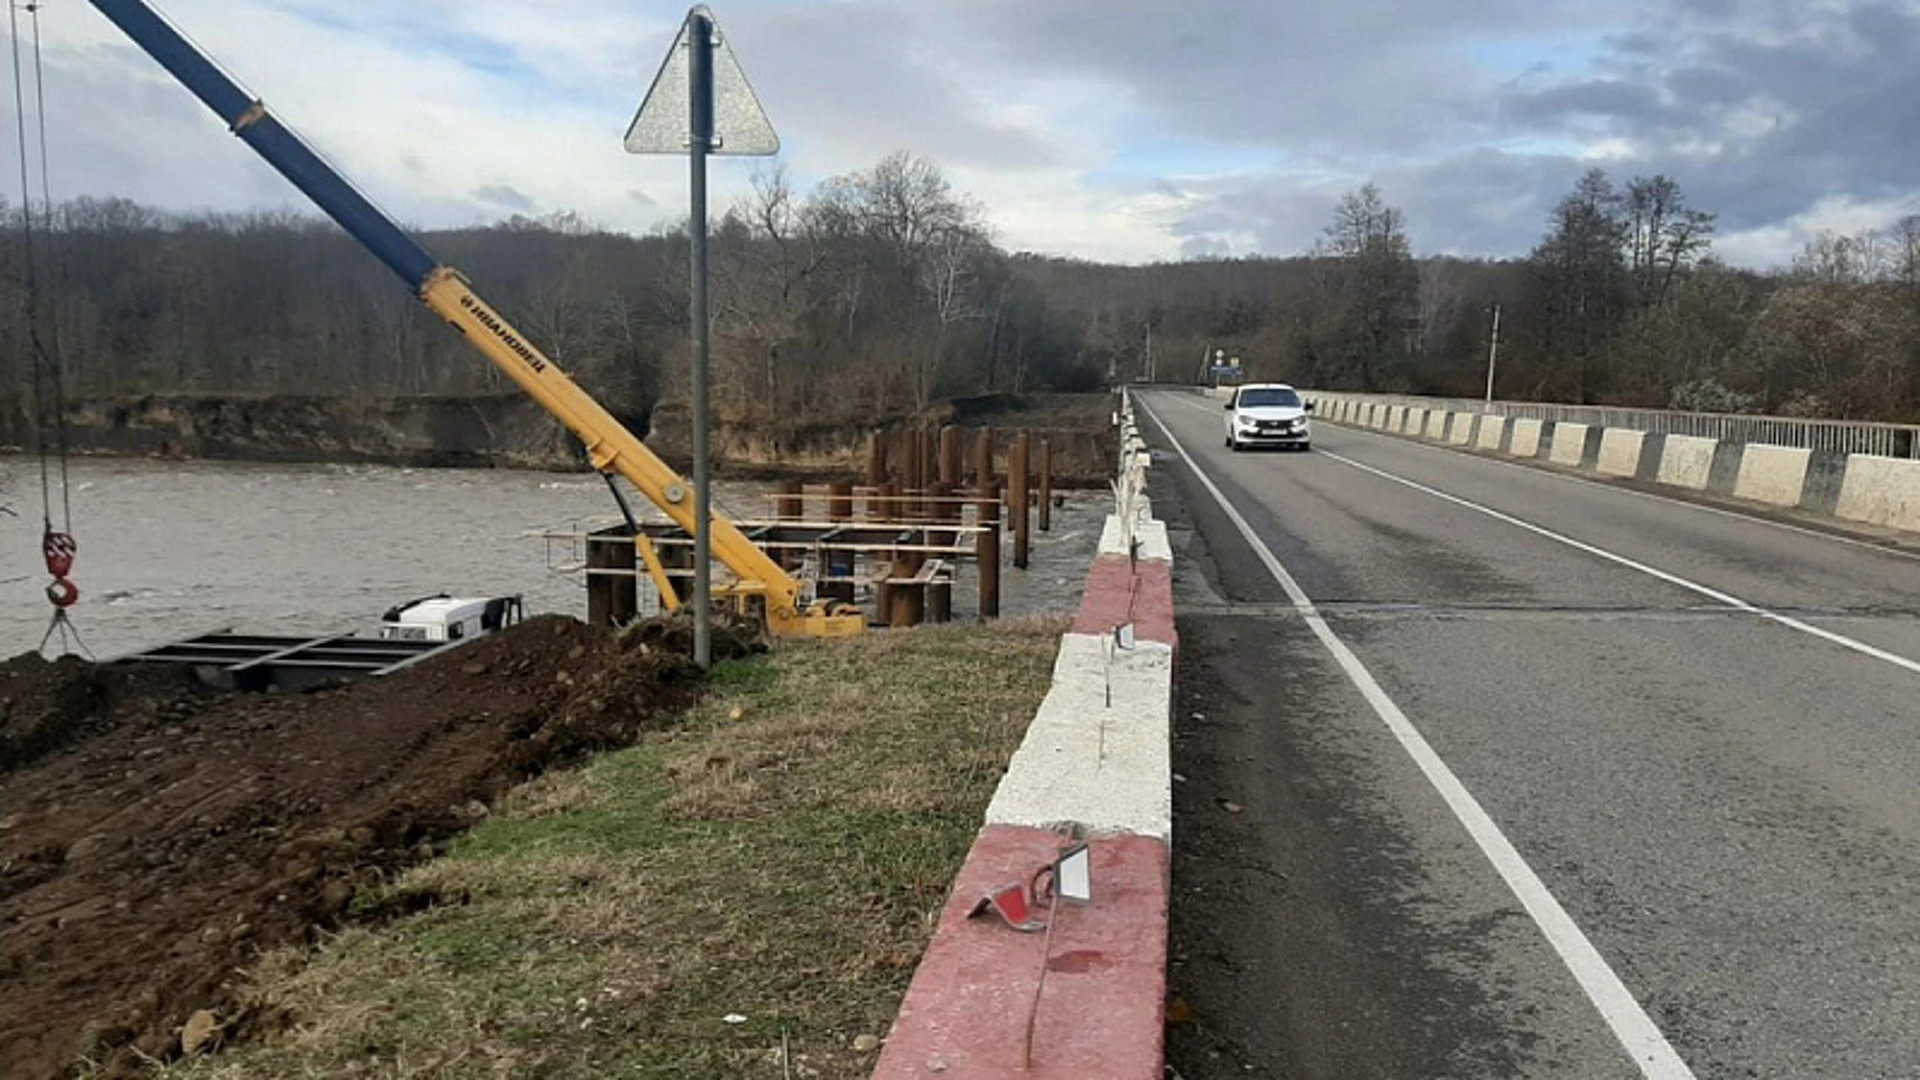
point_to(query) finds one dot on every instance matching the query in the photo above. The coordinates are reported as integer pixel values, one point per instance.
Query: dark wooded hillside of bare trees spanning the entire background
(884, 289)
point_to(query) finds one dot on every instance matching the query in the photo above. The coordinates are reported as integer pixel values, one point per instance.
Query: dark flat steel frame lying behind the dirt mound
(266, 662)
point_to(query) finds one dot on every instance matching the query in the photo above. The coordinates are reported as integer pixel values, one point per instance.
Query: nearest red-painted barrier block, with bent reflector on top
(1099, 1008)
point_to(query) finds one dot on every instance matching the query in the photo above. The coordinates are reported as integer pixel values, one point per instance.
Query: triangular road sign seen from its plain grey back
(740, 124)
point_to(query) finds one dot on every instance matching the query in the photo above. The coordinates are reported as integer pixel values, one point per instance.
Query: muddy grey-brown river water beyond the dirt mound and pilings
(170, 551)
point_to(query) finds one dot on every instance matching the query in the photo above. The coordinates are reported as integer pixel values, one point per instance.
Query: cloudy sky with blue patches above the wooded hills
(1109, 130)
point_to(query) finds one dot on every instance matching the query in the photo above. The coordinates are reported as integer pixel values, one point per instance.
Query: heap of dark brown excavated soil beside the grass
(156, 835)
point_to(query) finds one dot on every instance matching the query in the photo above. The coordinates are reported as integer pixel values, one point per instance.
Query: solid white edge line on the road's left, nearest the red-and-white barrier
(1604, 989)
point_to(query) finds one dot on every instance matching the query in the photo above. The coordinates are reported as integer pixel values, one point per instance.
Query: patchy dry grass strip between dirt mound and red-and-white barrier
(782, 868)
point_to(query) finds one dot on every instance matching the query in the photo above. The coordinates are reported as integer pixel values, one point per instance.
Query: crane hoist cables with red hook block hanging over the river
(57, 547)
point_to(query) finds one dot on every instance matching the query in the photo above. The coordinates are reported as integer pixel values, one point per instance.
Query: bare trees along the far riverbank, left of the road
(882, 289)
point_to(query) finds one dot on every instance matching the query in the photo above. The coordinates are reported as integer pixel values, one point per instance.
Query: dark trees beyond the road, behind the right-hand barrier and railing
(1620, 303)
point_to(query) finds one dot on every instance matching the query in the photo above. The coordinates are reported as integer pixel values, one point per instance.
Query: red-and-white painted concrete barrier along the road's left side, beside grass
(1095, 764)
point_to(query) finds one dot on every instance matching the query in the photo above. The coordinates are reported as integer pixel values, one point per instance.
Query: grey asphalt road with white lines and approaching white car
(1520, 775)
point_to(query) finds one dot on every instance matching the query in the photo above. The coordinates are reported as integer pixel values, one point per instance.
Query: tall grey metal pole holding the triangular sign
(702, 130)
